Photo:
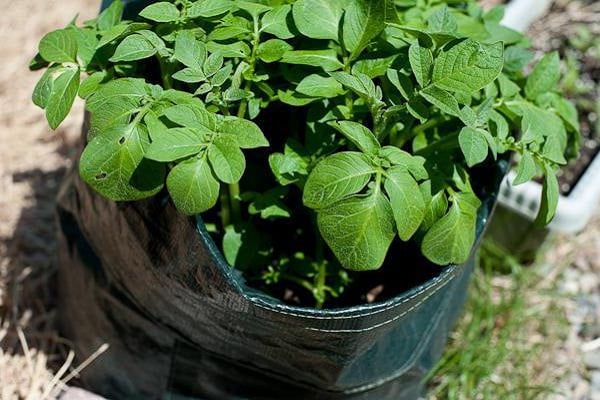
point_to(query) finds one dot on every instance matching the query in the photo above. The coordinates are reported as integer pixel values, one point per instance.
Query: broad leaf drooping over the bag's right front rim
(450, 239)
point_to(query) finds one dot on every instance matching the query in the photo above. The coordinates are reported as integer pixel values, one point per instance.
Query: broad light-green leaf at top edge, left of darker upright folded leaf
(318, 19)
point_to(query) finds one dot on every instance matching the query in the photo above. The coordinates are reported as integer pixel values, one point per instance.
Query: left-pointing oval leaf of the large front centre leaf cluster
(337, 177)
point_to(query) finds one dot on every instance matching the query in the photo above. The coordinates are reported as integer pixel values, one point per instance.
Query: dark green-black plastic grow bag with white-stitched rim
(181, 323)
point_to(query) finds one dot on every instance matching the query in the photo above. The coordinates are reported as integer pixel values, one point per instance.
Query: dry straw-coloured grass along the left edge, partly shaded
(32, 161)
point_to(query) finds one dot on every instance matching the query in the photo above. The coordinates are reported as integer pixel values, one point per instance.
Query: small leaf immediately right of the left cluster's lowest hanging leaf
(226, 158)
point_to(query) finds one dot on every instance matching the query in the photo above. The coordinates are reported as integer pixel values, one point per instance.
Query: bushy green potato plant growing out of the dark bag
(310, 134)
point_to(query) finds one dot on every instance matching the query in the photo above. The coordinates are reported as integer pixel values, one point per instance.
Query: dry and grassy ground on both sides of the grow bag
(550, 343)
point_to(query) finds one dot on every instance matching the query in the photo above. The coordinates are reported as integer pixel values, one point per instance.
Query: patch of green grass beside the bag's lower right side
(503, 344)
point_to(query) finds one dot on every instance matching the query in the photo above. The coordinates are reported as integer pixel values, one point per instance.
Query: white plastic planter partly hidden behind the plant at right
(575, 210)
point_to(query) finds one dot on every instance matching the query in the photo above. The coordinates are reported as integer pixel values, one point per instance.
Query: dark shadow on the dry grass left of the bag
(28, 301)
